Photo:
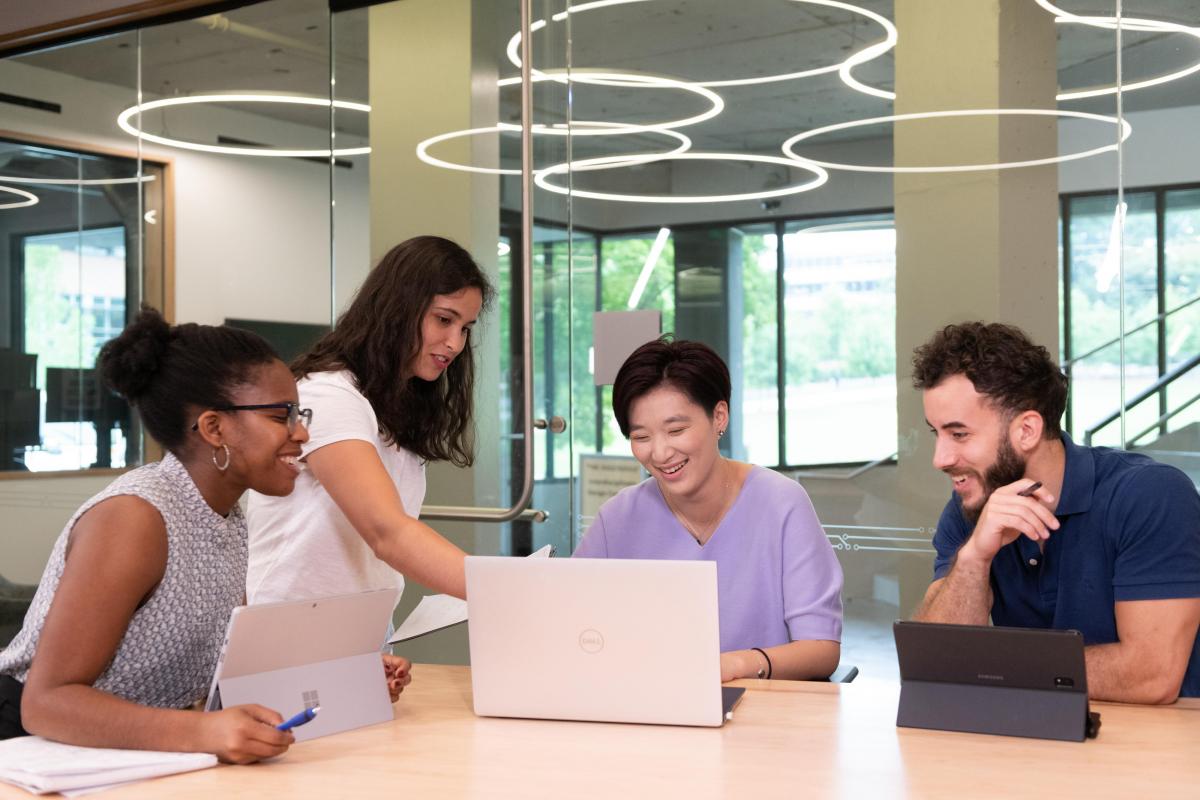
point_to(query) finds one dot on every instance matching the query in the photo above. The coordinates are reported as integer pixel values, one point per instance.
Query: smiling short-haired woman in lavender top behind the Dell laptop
(779, 584)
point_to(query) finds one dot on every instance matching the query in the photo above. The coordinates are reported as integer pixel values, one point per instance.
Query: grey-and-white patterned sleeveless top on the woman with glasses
(172, 643)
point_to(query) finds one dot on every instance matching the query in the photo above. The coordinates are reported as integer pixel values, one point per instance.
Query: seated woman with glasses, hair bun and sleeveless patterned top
(125, 630)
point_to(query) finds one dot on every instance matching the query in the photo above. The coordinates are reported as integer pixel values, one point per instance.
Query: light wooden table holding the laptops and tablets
(787, 739)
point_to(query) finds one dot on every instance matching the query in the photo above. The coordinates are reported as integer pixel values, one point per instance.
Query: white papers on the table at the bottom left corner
(41, 767)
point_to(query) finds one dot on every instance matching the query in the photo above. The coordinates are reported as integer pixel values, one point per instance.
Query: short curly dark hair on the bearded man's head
(1003, 364)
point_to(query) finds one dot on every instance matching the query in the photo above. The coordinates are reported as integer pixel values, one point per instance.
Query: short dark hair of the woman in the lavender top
(692, 368)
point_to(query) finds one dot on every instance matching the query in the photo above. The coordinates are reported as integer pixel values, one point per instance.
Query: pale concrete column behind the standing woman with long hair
(433, 70)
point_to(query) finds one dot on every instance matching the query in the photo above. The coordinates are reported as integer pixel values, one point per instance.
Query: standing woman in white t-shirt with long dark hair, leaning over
(392, 389)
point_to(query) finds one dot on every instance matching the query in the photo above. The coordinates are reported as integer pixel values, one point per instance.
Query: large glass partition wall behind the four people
(813, 188)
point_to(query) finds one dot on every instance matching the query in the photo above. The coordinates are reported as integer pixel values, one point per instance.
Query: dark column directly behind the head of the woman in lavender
(709, 306)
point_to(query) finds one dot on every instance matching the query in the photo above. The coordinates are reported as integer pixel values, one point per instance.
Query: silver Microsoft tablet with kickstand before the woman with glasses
(291, 657)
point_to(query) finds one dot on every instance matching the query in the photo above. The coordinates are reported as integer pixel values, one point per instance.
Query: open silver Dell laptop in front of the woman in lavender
(597, 640)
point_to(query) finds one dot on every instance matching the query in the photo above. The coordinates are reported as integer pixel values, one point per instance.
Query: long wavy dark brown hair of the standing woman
(381, 334)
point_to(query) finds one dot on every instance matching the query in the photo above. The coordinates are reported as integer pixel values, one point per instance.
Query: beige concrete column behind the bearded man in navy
(980, 245)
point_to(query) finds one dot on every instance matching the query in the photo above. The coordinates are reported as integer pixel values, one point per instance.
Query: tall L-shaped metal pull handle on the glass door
(520, 508)
